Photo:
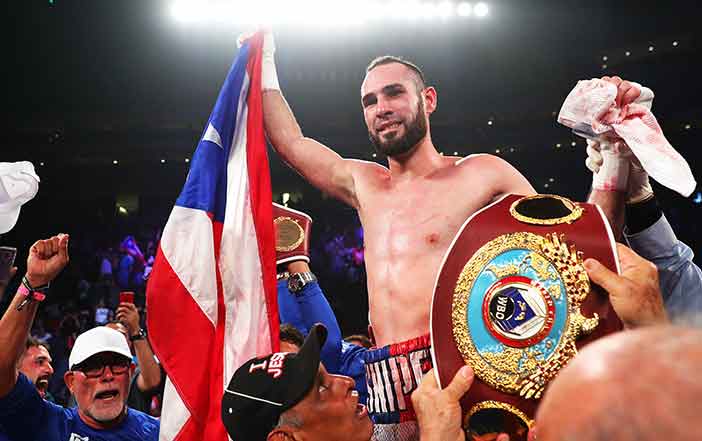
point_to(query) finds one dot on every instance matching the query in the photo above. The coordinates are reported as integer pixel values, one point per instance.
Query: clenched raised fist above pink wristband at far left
(47, 258)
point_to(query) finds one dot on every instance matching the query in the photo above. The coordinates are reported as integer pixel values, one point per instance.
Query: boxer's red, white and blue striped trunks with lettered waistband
(393, 372)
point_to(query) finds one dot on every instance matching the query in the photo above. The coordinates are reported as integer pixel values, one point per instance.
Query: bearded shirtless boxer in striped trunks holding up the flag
(410, 211)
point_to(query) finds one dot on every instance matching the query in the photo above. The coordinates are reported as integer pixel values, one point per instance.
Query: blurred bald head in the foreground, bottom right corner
(633, 386)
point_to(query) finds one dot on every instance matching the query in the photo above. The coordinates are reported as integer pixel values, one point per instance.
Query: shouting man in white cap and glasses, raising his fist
(99, 374)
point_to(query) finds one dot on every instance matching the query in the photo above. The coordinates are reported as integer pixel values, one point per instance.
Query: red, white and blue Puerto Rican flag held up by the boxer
(211, 298)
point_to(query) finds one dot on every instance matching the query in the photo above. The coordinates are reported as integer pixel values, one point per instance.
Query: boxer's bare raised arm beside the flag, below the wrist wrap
(320, 165)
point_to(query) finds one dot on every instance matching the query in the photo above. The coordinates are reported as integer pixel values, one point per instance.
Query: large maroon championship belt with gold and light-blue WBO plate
(513, 301)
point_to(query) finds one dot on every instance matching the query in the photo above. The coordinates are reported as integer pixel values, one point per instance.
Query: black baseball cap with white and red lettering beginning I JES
(265, 387)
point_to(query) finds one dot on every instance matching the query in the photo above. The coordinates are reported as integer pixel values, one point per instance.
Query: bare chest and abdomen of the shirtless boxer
(407, 228)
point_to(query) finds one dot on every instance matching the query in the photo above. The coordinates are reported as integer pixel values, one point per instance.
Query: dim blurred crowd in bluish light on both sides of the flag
(106, 263)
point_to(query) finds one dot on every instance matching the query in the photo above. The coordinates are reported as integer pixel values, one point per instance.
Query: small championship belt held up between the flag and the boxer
(292, 234)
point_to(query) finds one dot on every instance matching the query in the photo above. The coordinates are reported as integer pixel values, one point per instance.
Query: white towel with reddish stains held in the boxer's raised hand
(591, 111)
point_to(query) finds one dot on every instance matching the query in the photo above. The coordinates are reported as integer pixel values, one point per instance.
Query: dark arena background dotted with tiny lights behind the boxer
(109, 98)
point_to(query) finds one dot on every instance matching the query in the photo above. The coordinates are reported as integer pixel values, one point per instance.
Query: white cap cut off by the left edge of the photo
(19, 183)
